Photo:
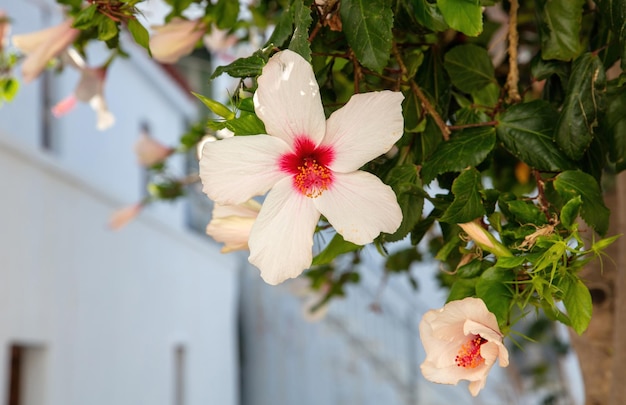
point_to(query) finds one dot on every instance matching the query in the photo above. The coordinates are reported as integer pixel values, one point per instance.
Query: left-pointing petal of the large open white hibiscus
(235, 169)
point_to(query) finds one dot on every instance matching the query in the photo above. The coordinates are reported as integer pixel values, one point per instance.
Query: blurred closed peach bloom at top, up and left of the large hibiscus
(176, 39)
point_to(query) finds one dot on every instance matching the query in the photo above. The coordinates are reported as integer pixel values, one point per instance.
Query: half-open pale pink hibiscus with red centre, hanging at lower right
(462, 342)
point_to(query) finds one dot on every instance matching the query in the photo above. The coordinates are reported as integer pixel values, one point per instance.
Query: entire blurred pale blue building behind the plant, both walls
(153, 314)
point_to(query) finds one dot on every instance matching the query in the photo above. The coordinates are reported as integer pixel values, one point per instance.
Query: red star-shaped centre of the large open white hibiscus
(308, 165)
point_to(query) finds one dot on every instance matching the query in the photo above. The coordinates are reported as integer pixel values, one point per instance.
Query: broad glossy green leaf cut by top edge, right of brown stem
(560, 28)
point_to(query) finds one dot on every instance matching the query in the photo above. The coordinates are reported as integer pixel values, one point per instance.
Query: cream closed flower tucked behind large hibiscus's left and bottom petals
(231, 224)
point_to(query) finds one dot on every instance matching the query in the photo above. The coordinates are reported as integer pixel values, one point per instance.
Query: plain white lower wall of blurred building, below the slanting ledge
(109, 307)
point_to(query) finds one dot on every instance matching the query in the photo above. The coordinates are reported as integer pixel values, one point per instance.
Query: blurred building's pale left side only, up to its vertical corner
(89, 316)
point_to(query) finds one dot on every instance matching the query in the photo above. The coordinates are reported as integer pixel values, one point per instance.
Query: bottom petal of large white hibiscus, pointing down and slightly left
(281, 240)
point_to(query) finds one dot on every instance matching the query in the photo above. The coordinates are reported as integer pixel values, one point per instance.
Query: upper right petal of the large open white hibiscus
(365, 128)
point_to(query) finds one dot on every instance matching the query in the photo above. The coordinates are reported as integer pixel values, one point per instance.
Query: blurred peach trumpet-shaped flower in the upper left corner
(42, 46)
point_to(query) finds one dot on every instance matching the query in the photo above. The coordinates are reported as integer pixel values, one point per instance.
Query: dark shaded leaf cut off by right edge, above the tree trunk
(614, 125)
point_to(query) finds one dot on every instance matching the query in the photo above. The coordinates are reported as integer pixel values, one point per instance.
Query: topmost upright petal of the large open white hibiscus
(288, 99)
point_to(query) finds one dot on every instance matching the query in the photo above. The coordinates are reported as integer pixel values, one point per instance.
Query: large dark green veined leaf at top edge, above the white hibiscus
(367, 26)
